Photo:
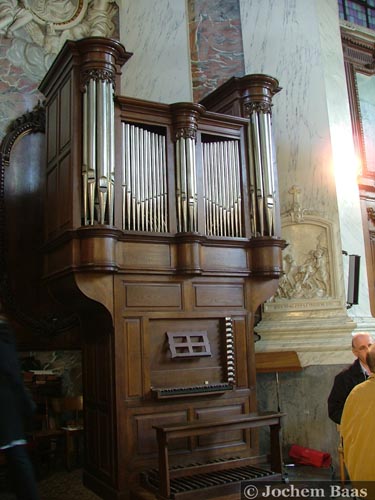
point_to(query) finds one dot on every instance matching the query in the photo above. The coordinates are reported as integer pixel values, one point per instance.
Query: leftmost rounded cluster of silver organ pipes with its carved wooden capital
(98, 77)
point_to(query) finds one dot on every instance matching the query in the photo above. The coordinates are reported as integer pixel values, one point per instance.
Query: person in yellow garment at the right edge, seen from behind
(358, 427)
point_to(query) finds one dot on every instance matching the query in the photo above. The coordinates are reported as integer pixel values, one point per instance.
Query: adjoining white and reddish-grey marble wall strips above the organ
(182, 49)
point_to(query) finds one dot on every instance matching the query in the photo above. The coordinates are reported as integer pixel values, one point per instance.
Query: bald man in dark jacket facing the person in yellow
(349, 377)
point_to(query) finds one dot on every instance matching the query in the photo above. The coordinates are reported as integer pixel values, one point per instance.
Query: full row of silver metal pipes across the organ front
(144, 166)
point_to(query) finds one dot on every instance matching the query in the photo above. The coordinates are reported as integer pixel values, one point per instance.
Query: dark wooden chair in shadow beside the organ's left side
(66, 415)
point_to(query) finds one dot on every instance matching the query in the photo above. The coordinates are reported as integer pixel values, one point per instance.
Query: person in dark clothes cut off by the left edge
(16, 408)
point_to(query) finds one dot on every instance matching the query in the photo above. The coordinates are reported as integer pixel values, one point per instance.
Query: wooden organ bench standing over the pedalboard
(239, 470)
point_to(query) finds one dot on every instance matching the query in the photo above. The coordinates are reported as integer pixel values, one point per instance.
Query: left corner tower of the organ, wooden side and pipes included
(79, 92)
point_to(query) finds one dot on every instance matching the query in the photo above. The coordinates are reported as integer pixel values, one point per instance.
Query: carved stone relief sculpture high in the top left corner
(38, 28)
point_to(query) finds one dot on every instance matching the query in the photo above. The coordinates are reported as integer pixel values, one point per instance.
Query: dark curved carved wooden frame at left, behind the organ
(30, 122)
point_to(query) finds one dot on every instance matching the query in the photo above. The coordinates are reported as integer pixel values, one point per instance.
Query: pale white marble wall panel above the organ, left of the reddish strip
(156, 33)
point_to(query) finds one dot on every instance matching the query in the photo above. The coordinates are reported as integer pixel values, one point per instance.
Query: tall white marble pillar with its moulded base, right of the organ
(299, 43)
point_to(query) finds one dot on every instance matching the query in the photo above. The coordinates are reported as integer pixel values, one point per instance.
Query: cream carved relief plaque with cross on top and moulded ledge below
(308, 311)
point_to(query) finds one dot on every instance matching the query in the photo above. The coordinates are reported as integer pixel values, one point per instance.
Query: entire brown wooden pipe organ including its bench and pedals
(165, 240)
